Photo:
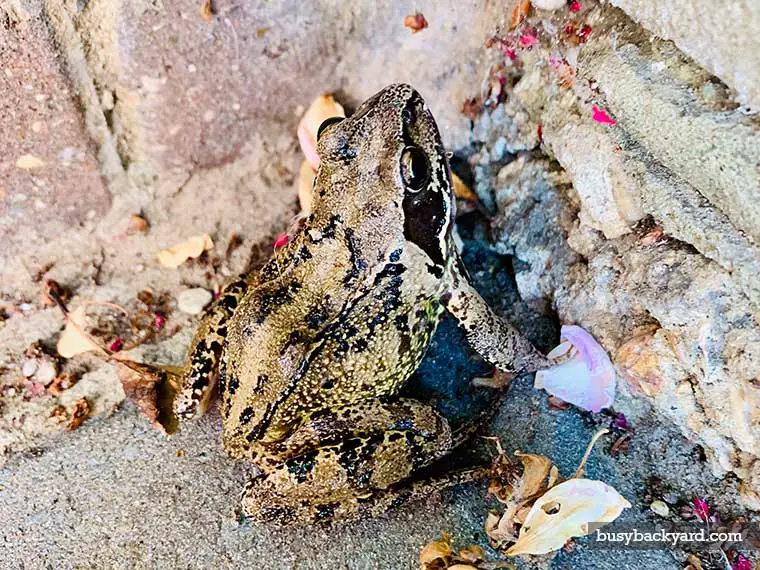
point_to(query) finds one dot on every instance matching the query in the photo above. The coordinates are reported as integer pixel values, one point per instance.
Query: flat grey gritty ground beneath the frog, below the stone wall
(118, 494)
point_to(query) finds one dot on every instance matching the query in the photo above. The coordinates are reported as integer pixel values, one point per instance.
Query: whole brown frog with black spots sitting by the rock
(309, 353)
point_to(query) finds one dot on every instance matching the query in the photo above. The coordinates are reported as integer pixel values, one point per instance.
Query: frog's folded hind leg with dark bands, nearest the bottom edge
(352, 474)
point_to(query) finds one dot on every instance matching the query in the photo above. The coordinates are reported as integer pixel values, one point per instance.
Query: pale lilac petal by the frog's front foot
(586, 379)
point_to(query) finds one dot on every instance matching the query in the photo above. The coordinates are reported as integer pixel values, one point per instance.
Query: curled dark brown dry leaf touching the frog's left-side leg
(152, 390)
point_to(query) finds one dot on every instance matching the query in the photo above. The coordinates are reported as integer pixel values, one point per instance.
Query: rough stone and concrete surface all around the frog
(645, 232)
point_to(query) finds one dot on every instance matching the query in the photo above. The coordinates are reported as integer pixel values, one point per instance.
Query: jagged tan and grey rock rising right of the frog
(653, 249)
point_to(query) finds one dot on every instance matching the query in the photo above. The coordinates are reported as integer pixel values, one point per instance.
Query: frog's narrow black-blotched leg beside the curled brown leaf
(201, 369)
